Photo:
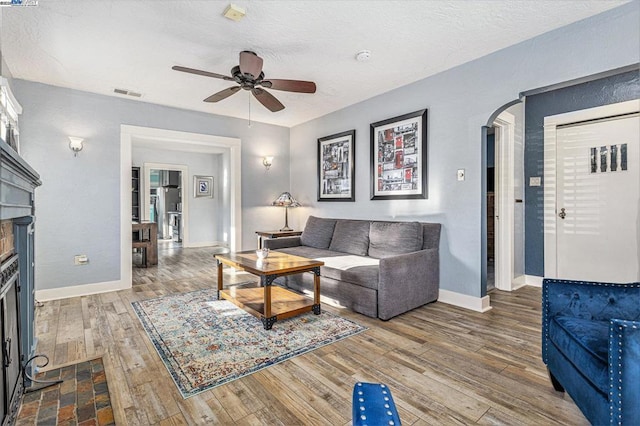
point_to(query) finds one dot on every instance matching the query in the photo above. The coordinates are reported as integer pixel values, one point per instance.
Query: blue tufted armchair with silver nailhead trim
(591, 346)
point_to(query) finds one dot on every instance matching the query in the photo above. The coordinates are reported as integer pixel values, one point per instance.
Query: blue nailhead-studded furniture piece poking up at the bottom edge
(373, 405)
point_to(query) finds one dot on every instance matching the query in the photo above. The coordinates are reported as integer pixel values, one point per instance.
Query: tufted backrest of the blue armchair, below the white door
(589, 300)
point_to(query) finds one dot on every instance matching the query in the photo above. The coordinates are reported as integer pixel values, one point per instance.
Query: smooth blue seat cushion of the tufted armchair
(585, 343)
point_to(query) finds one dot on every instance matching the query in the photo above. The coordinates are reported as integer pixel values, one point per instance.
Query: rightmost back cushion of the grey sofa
(393, 238)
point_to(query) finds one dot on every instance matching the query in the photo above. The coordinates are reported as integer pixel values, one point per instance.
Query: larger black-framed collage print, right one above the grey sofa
(399, 157)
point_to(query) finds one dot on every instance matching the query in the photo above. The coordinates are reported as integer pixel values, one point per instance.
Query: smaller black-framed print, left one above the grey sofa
(336, 167)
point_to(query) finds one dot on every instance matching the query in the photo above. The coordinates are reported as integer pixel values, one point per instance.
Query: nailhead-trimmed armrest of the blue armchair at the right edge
(624, 370)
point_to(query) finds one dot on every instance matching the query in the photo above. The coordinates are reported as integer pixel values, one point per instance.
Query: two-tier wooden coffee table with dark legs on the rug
(270, 302)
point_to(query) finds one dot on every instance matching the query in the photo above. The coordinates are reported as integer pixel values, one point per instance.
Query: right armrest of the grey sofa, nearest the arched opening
(408, 281)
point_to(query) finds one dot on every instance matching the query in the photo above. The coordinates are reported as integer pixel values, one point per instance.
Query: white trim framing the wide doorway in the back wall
(191, 142)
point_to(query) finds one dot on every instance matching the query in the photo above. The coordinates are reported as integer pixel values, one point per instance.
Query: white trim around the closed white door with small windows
(549, 178)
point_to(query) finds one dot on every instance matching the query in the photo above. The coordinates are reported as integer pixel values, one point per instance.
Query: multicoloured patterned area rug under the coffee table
(205, 342)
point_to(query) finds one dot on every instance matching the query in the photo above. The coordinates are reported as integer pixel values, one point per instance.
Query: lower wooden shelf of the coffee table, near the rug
(284, 303)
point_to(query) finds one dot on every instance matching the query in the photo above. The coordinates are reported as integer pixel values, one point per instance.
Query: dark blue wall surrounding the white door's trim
(605, 91)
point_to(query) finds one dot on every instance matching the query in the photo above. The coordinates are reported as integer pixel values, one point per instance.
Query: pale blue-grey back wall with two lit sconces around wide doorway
(78, 205)
